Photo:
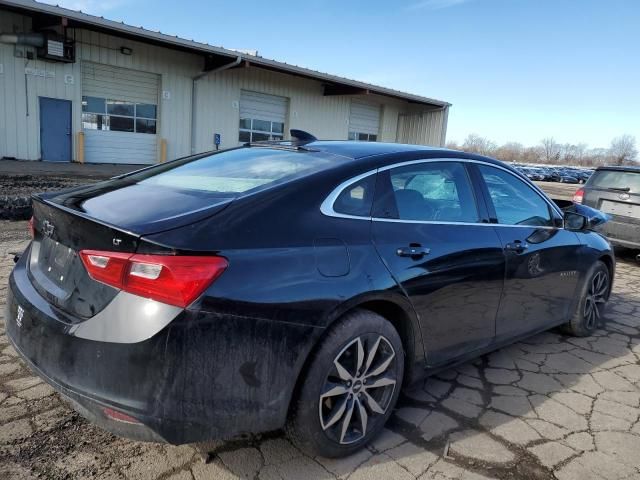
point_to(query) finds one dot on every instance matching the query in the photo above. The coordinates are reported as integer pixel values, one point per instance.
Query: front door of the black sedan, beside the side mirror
(542, 268)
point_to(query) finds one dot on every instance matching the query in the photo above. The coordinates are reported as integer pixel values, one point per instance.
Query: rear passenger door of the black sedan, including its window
(433, 235)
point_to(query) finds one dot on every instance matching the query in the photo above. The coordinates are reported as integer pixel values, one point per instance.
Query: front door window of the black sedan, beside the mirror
(515, 202)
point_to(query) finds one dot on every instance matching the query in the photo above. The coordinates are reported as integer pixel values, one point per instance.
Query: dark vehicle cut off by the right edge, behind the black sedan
(616, 191)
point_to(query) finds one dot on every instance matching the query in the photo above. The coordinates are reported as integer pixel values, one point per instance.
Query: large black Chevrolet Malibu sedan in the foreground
(293, 284)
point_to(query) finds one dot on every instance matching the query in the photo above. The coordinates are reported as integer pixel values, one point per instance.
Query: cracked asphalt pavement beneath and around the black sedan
(549, 407)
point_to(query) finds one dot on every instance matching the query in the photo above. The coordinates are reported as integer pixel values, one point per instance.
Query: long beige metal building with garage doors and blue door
(75, 87)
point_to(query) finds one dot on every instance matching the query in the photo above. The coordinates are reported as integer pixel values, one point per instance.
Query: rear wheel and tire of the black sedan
(335, 412)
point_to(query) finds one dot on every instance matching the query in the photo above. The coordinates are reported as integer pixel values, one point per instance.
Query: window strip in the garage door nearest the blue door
(118, 115)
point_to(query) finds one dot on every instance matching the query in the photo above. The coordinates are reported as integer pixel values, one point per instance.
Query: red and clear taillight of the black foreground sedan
(173, 279)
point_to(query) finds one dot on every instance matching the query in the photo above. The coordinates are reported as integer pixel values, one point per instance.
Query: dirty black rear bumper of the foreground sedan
(203, 376)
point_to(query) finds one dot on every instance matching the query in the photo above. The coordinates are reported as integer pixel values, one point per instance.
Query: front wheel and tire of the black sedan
(593, 298)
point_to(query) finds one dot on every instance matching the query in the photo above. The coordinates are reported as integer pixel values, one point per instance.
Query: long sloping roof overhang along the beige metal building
(49, 15)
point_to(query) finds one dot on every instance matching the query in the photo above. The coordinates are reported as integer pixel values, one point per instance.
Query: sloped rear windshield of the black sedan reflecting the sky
(235, 172)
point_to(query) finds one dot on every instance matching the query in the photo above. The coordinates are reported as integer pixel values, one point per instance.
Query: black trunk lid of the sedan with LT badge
(85, 218)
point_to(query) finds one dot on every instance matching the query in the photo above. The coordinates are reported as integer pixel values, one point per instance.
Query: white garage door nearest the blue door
(119, 114)
